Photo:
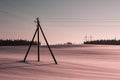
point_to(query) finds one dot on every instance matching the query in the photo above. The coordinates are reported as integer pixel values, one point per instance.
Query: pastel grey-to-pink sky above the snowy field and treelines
(62, 20)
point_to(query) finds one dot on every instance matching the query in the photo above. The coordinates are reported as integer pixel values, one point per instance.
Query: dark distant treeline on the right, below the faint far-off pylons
(104, 42)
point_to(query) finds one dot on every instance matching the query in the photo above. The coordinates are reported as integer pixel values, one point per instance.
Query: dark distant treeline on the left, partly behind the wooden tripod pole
(18, 42)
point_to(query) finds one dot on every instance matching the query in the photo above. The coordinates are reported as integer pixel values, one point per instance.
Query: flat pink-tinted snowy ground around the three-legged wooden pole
(80, 63)
